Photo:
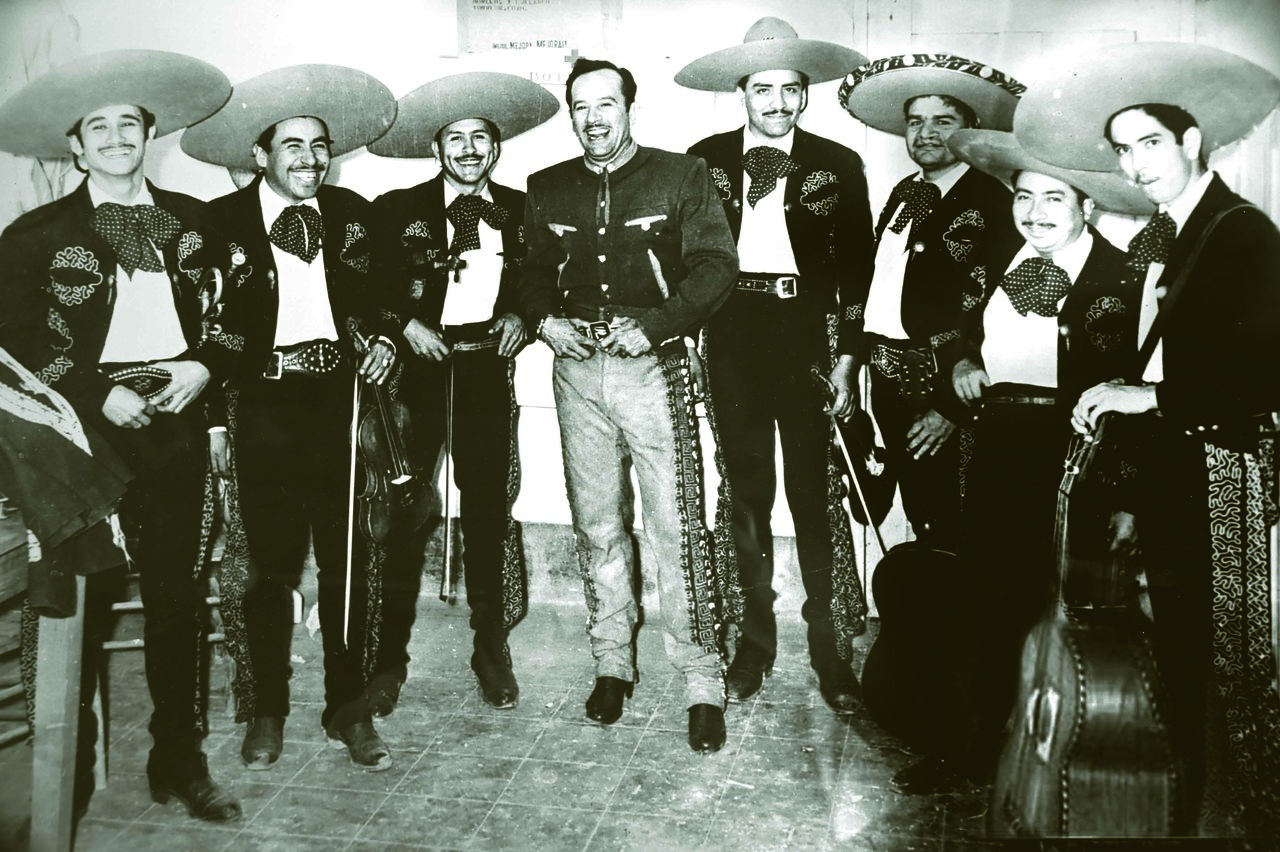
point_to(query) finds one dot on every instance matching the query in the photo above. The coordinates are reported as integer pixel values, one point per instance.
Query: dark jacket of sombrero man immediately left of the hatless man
(412, 237)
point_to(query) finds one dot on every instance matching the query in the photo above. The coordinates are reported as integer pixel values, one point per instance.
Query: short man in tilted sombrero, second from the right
(1060, 317)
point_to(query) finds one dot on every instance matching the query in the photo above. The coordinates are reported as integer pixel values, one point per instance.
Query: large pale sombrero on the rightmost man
(1063, 120)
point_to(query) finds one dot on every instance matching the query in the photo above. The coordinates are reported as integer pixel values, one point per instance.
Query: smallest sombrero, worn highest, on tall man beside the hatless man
(771, 44)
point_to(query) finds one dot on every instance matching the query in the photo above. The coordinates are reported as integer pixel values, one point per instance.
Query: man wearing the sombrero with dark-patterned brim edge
(935, 239)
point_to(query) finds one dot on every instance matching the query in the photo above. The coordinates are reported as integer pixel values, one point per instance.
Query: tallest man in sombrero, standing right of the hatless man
(798, 207)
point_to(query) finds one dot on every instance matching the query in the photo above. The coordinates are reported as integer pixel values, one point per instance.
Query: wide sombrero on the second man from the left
(356, 108)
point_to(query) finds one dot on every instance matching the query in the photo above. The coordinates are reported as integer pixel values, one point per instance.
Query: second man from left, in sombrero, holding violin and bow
(312, 327)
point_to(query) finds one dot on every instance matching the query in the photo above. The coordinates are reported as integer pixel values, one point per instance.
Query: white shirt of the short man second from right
(1025, 349)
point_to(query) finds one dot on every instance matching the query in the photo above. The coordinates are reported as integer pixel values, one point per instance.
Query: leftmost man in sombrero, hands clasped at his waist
(104, 299)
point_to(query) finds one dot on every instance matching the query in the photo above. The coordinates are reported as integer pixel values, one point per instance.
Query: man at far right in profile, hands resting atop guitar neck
(1204, 398)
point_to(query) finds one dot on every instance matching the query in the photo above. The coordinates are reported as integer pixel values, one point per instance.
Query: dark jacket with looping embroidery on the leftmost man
(58, 291)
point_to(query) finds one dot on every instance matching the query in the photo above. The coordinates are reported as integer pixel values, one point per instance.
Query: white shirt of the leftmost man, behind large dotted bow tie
(144, 319)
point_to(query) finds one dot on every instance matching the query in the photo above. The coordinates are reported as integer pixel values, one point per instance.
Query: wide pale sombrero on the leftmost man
(179, 90)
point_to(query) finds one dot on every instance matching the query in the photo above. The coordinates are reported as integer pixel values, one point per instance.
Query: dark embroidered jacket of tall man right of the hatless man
(828, 213)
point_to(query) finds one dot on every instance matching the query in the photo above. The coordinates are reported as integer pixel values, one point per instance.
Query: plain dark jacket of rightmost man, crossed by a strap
(1222, 338)
